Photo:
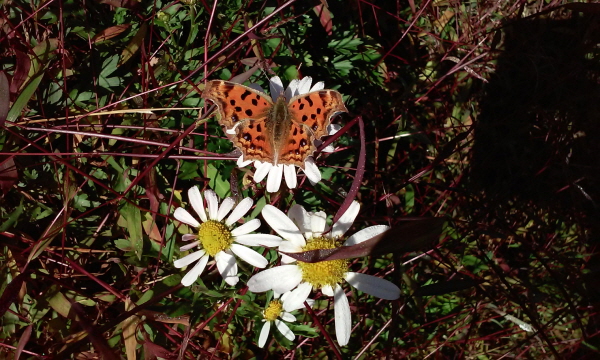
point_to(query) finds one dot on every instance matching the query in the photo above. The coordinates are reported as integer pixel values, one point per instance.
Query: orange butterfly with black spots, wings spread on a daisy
(277, 132)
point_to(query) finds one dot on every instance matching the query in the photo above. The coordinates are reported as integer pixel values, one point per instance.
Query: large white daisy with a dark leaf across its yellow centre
(306, 231)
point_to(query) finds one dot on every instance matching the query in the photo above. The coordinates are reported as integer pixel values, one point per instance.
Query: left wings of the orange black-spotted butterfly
(243, 114)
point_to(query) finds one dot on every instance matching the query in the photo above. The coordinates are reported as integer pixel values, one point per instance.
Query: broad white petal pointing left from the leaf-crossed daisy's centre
(280, 279)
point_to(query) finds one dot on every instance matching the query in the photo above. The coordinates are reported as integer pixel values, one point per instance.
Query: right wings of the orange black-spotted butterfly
(310, 114)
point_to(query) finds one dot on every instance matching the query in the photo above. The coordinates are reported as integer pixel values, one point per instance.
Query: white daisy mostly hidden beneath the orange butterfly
(277, 172)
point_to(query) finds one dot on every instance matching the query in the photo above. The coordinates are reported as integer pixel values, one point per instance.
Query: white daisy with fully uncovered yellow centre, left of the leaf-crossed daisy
(218, 237)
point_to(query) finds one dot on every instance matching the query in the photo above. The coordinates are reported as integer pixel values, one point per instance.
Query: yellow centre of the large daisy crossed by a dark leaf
(323, 273)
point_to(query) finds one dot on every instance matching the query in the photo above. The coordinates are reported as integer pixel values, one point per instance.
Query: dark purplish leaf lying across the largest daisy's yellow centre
(415, 235)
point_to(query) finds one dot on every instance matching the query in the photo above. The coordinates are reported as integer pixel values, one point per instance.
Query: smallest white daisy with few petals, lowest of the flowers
(272, 315)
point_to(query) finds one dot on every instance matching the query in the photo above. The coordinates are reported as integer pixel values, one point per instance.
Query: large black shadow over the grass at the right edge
(538, 135)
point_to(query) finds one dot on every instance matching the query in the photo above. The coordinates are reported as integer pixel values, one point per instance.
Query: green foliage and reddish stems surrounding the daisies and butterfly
(95, 92)
